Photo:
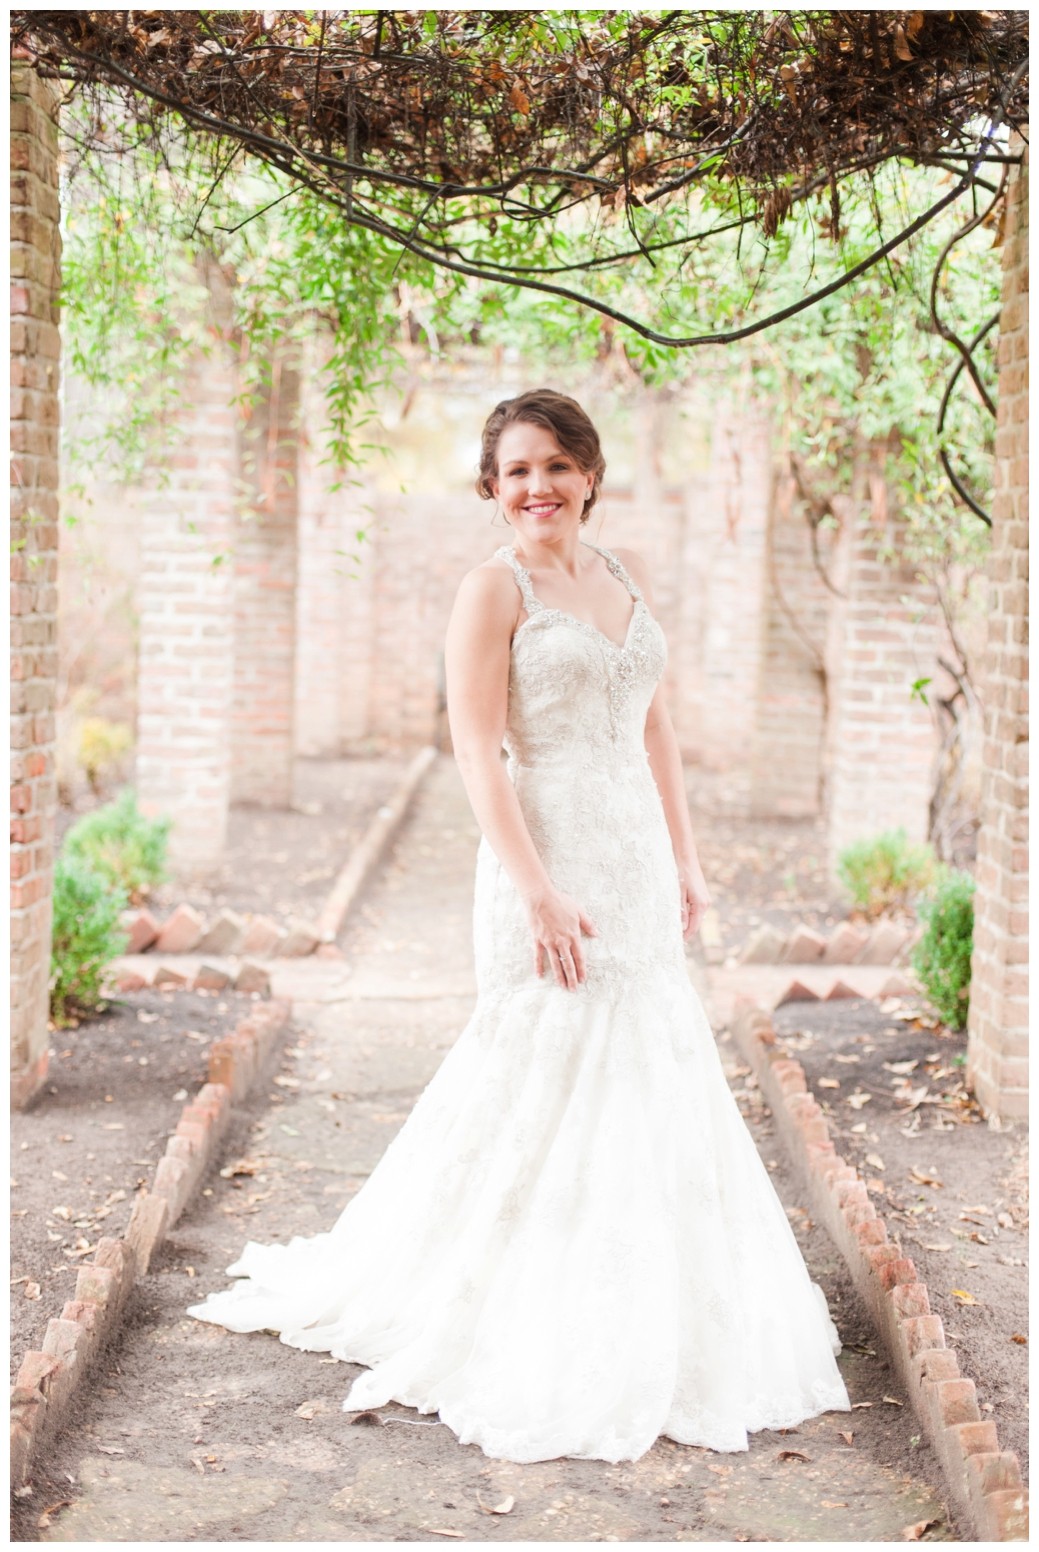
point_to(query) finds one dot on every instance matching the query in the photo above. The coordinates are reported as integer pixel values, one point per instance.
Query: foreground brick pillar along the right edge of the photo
(998, 1038)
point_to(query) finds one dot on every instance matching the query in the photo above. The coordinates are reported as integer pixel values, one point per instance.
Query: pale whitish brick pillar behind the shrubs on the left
(187, 620)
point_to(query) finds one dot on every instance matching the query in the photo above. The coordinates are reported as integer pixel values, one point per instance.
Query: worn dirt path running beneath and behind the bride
(198, 1435)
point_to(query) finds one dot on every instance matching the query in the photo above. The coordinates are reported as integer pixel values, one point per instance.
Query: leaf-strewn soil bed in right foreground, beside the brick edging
(953, 1190)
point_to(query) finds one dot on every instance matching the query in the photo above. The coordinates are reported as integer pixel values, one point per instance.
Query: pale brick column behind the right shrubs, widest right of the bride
(883, 741)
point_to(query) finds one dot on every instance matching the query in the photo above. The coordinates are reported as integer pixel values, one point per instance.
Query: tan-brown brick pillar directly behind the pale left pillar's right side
(263, 741)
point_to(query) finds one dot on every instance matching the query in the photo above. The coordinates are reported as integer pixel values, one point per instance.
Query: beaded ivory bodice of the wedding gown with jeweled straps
(574, 693)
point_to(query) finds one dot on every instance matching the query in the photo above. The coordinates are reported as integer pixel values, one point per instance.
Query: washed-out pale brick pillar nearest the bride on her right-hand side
(732, 553)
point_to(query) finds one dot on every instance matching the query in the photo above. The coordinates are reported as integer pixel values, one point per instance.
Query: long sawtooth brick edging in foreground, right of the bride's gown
(984, 1480)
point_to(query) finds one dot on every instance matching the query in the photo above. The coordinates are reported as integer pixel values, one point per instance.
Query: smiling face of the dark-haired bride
(543, 490)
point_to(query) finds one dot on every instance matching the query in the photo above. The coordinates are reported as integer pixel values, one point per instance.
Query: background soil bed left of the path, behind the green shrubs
(283, 862)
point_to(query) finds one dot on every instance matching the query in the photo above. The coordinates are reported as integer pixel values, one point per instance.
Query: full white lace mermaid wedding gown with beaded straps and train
(572, 1244)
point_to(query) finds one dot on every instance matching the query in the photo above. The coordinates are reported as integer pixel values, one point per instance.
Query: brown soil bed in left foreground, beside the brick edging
(114, 1093)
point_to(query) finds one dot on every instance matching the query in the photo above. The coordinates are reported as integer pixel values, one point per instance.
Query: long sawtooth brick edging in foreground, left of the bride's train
(49, 1381)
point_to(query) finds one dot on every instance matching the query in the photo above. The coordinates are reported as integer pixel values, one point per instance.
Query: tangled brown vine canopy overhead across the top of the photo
(470, 137)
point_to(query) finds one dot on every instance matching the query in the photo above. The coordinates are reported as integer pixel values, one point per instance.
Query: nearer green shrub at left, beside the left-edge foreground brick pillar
(86, 937)
